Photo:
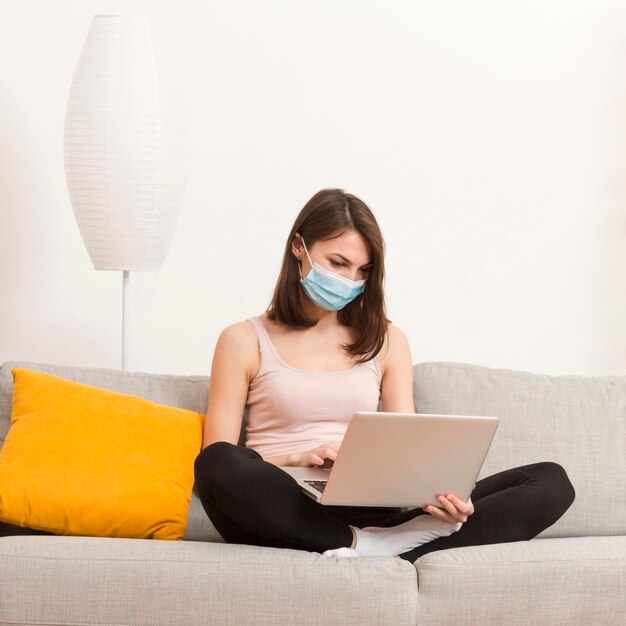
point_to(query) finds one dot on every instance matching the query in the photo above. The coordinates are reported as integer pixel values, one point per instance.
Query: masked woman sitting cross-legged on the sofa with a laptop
(324, 349)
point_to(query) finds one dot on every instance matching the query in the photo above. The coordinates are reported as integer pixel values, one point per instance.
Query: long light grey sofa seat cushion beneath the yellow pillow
(102, 580)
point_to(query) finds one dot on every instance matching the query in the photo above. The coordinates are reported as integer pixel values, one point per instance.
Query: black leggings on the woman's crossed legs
(254, 502)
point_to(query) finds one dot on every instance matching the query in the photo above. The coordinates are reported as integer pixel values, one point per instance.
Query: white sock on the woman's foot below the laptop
(378, 541)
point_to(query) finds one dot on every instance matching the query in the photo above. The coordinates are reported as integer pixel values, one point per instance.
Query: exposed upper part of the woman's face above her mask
(347, 255)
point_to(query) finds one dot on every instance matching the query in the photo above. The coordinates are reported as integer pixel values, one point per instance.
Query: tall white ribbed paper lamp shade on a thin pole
(125, 147)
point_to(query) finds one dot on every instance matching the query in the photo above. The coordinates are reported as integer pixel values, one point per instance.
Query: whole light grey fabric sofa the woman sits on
(573, 573)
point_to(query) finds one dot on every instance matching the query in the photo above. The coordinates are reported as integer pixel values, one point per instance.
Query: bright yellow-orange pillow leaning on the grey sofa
(79, 460)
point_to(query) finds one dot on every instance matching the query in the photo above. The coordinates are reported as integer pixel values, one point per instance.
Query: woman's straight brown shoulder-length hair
(328, 214)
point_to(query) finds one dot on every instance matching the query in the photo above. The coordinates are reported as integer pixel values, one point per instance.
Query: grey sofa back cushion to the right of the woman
(576, 421)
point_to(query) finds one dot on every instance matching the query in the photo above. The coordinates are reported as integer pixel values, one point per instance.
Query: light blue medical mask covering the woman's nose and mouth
(327, 289)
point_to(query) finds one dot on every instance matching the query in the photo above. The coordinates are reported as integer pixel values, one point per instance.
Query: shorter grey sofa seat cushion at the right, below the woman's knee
(543, 581)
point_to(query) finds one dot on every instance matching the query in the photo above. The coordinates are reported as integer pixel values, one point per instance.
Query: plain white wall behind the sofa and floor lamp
(489, 139)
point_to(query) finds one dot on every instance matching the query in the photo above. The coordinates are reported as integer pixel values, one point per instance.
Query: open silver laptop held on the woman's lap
(401, 460)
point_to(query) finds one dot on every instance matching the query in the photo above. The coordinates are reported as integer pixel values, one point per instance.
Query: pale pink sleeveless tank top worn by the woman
(292, 410)
